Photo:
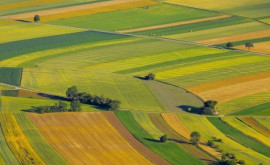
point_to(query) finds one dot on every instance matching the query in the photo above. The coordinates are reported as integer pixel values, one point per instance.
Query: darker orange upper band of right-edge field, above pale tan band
(228, 82)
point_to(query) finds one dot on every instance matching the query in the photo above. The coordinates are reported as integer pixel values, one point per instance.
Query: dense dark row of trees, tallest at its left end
(86, 98)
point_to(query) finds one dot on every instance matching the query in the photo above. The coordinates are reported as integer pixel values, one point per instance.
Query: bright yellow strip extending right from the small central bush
(182, 71)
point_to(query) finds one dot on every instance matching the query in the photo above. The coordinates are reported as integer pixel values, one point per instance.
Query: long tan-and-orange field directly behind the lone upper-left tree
(86, 9)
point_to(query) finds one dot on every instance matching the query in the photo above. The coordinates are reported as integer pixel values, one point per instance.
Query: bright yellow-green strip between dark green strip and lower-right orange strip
(247, 130)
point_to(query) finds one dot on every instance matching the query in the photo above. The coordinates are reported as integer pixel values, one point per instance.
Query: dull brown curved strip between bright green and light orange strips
(181, 141)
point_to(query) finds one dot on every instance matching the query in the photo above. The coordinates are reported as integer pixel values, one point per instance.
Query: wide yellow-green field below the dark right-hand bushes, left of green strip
(208, 131)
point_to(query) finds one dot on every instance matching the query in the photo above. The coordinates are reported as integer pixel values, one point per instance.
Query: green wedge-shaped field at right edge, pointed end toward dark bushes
(262, 109)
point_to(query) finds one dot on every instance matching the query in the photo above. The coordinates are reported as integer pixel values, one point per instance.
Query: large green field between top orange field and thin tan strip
(136, 18)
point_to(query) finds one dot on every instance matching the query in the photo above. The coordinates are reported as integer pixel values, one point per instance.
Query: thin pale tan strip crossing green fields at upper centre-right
(175, 24)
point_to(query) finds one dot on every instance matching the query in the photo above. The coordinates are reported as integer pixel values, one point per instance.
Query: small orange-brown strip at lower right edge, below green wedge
(256, 125)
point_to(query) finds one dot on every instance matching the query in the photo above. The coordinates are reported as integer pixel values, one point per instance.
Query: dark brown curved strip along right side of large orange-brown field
(150, 155)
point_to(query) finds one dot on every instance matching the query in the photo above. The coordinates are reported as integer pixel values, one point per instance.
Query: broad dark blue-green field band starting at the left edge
(16, 48)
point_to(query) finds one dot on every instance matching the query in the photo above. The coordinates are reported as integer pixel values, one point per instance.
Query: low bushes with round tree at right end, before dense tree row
(75, 106)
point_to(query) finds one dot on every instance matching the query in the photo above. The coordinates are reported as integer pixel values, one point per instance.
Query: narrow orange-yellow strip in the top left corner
(26, 4)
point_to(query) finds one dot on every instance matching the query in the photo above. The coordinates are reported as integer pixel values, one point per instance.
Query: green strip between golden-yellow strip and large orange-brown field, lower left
(38, 142)
